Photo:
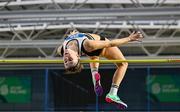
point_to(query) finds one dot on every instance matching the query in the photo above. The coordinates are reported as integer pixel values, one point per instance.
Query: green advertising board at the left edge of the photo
(15, 89)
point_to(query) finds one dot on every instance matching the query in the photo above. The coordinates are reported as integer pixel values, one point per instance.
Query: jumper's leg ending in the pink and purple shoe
(96, 76)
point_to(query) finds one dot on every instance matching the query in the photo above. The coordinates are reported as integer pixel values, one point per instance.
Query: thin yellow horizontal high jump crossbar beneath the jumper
(56, 61)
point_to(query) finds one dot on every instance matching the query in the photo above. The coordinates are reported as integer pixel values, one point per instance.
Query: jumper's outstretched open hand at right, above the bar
(135, 36)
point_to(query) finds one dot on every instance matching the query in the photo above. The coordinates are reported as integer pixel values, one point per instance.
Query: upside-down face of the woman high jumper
(70, 58)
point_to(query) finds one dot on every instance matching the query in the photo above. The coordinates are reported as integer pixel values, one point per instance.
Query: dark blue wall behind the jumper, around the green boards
(75, 92)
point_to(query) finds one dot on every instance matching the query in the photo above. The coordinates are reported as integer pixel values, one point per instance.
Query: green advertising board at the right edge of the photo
(164, 88)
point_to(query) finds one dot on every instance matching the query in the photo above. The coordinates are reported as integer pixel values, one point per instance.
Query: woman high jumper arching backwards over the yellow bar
(94, 46)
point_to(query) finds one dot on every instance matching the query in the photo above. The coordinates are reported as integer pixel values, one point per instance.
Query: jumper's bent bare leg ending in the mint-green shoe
(115, 53)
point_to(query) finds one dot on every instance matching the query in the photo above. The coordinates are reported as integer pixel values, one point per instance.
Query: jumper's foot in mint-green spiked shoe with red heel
(116, 100)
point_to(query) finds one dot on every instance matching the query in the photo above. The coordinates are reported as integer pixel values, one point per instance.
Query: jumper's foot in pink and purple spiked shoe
(97, 87)
